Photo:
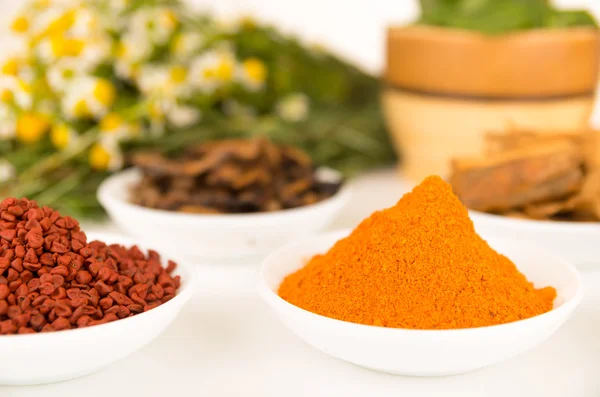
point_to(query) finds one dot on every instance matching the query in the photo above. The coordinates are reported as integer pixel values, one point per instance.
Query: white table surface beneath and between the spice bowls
(226, 342)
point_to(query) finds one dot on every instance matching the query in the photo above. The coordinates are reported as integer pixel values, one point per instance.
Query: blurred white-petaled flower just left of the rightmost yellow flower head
(211, 70)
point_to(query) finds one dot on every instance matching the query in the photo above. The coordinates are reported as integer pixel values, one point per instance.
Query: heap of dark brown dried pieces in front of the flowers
(230, 176)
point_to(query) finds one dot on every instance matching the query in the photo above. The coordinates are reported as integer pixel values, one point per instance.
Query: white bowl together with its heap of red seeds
(71, 304)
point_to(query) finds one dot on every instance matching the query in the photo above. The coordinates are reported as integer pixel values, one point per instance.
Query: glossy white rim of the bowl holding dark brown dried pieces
(121, 181)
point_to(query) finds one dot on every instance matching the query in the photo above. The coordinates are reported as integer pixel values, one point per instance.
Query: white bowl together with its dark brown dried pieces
(224, 199)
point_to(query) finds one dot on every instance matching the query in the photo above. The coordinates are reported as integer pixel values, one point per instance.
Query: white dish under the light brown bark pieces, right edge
(578, 243)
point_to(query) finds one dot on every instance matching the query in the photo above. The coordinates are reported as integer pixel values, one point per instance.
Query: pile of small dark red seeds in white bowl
(52, 279)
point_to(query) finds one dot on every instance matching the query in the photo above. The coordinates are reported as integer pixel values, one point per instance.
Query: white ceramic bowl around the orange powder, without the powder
(423, 352)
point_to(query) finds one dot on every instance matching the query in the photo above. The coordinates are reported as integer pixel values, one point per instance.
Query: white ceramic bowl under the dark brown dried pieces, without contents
(216, 236)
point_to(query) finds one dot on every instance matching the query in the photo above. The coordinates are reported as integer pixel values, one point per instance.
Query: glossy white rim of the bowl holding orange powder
(287, 309)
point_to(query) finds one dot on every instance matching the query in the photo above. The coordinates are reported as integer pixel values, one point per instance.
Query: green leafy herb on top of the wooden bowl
(500, 16)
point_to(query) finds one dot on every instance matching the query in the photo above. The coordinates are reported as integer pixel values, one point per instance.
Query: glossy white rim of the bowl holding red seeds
(186, 291)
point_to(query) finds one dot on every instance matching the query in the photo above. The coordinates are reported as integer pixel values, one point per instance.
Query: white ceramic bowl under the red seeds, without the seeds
(57, 356)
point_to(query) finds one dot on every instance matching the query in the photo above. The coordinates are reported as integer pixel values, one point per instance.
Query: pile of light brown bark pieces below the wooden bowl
(533, 175)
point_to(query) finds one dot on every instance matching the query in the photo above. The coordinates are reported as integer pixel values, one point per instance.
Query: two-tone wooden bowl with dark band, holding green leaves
(445, 88)
